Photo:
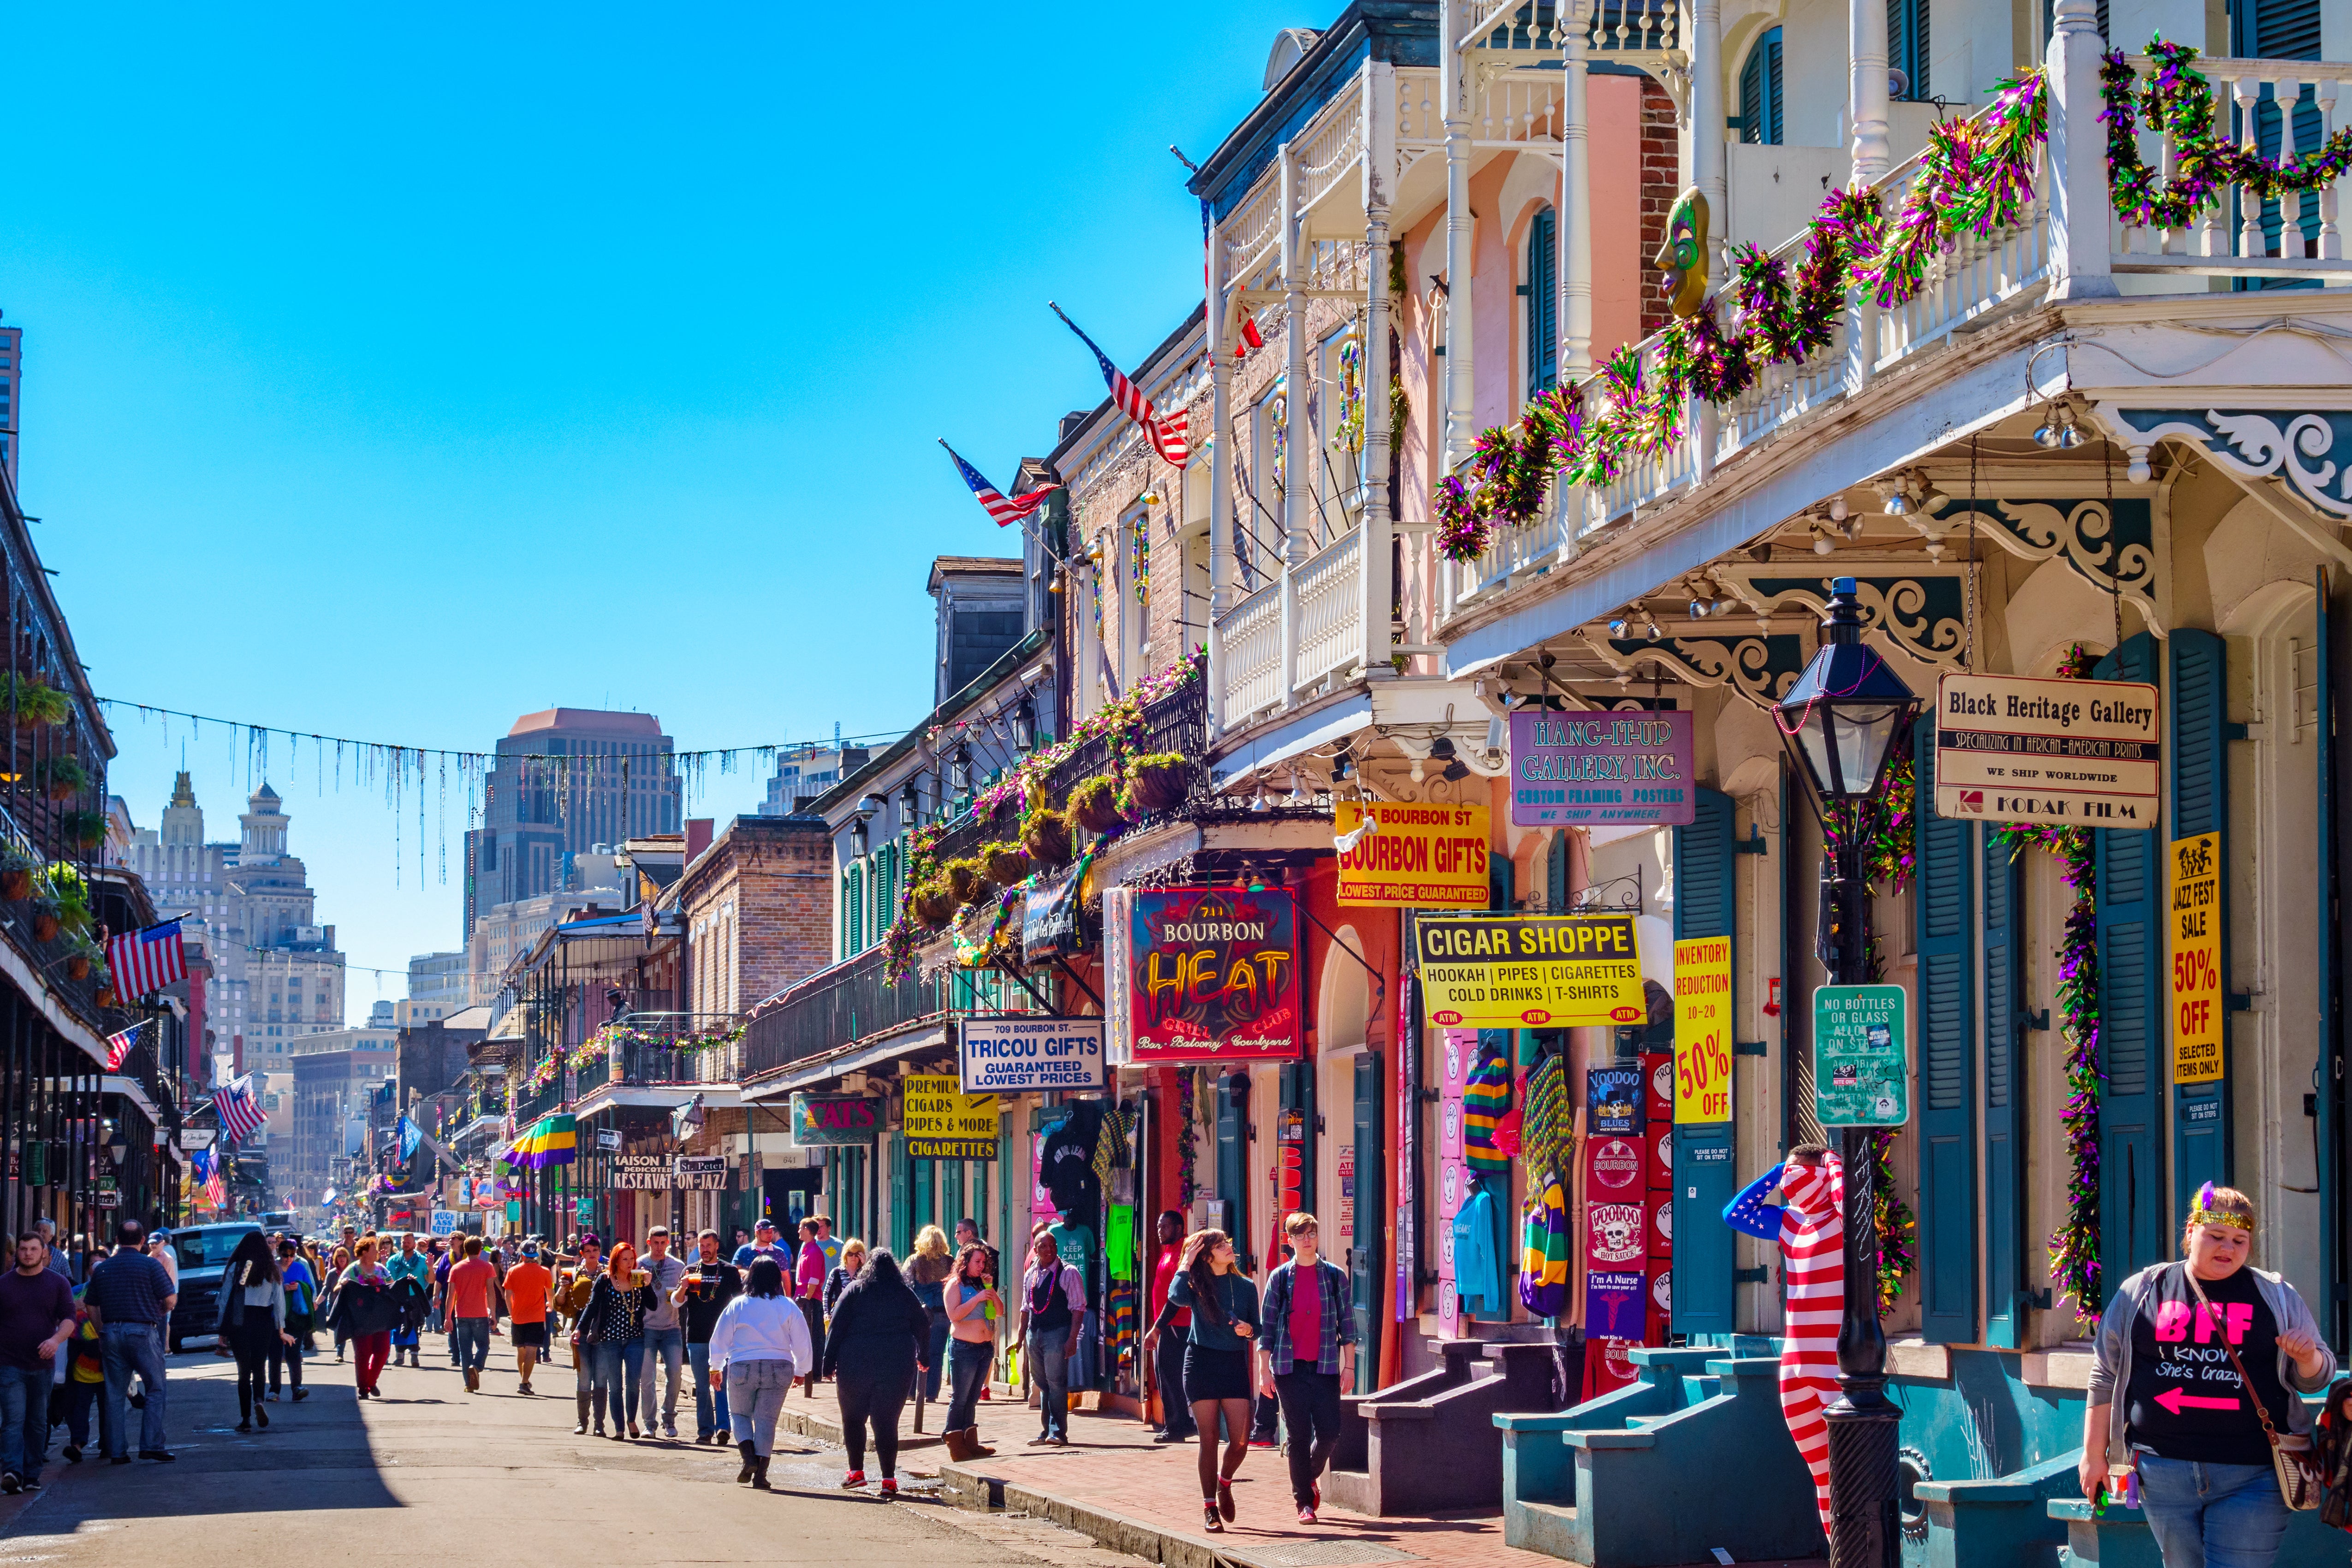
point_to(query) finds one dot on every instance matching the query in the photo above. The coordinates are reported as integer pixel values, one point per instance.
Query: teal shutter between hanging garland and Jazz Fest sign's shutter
(2130, 965)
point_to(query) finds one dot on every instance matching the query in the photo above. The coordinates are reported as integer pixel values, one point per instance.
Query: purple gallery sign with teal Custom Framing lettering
(1601, 768)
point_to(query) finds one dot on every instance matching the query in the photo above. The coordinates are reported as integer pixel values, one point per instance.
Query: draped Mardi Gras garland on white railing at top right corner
(2179, 102)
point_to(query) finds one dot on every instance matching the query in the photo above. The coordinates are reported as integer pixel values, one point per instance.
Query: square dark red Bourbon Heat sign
(1215, 974)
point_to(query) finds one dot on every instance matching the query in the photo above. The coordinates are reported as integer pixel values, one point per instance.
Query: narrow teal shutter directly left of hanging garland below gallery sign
(2005, 1113)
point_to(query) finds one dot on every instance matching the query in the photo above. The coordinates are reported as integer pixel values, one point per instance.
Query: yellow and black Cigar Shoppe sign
(1509, 972)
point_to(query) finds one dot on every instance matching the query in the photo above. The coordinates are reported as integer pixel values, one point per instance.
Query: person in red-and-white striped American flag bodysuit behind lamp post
(1812, 1238)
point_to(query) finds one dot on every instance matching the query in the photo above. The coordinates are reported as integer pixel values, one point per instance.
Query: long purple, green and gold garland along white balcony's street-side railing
(1975, 177)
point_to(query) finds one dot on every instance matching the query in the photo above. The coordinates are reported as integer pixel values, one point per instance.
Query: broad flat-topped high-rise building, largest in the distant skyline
(568, 782)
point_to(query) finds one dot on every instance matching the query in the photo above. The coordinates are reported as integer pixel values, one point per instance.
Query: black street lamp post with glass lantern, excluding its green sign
(1840, 725)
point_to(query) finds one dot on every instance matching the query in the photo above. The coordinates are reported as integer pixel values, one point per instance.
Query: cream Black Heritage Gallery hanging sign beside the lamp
(2047, 751)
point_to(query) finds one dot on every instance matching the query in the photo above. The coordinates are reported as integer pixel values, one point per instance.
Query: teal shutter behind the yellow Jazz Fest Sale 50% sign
(2200, 803)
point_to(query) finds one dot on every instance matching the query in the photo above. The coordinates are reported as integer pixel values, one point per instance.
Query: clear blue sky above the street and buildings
(392, 373)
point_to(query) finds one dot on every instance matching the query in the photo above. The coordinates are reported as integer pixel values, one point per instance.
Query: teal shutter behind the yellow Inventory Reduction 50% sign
(1706, 897)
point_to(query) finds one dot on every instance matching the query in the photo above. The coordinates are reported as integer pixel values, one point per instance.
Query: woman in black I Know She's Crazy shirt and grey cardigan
(2205, 1466)
